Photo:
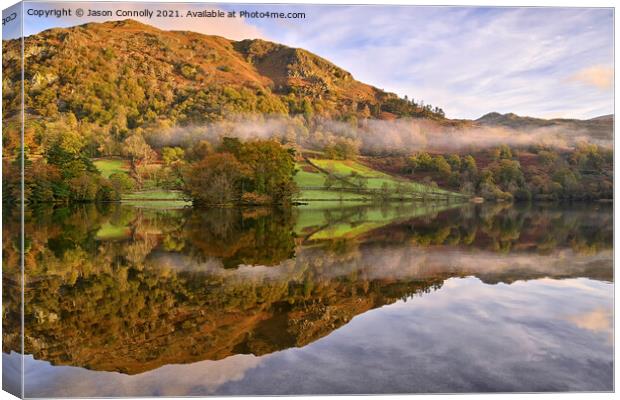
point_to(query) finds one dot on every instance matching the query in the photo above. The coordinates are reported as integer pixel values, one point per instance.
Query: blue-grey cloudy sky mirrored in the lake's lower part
(467, 336)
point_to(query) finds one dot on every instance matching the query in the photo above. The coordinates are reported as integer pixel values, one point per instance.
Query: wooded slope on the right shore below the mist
(536, 172)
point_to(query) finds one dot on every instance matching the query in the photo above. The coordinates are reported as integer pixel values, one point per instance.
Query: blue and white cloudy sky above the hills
(542, 62)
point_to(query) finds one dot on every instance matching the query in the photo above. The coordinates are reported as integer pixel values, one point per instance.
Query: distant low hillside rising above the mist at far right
(599, 128)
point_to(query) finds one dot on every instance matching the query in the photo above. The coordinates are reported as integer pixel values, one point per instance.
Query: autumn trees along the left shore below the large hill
(233, 172)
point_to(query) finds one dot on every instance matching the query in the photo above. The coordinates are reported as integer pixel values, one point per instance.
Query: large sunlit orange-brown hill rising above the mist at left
(129, 74)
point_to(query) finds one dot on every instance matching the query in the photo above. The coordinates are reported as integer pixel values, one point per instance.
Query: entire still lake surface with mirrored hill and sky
(126, 300)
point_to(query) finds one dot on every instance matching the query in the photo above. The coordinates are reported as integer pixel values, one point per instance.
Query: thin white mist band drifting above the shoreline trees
(373, 136)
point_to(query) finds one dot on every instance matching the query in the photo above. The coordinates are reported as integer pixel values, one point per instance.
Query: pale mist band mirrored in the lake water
(408, 262)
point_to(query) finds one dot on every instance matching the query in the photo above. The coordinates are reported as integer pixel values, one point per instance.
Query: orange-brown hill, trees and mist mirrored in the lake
(129, 290)
